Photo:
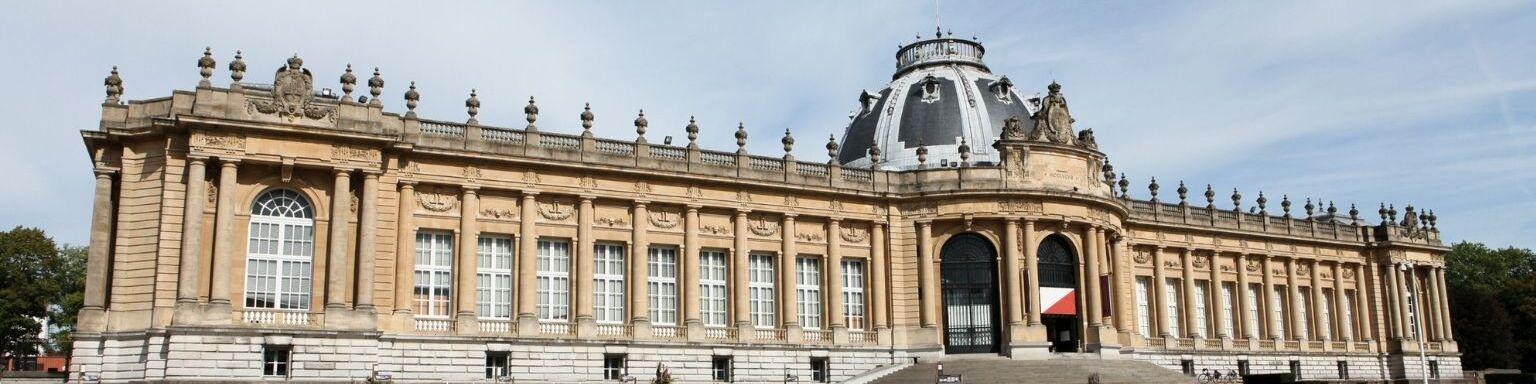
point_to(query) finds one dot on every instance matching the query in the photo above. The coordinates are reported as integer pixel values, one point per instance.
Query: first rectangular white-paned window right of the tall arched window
(434, 274)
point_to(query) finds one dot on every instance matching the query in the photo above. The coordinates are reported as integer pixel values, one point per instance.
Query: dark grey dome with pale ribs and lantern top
(942, 94)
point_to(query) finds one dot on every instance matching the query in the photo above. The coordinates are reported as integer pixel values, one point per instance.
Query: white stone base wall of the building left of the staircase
(323, 357)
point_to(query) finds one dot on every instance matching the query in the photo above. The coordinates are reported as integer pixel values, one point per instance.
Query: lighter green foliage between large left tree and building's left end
(70, 271)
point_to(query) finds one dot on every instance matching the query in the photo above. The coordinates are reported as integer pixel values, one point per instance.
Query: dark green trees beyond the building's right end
(1494, 306)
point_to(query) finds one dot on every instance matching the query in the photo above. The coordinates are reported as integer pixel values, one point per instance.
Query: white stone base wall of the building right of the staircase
(1311, 366)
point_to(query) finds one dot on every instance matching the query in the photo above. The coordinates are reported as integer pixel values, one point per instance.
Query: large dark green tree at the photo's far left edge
(27, 286)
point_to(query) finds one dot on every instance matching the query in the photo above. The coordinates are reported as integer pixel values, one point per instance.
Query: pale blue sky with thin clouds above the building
(1431, 104)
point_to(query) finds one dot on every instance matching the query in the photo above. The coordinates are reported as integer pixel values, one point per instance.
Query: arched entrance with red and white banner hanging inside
(1059, 294)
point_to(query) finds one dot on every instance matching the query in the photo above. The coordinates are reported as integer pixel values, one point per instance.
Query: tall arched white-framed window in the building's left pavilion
(280, 251)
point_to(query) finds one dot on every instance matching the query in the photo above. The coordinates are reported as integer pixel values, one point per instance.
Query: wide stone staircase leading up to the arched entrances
(998, 369)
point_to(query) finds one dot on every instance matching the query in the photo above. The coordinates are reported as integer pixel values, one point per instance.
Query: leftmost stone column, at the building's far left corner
(93, 316)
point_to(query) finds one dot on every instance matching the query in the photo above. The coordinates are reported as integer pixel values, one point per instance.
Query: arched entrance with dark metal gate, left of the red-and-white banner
(970, 294)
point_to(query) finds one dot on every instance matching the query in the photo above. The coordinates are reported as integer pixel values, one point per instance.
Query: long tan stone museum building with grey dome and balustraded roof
(282, 231)
